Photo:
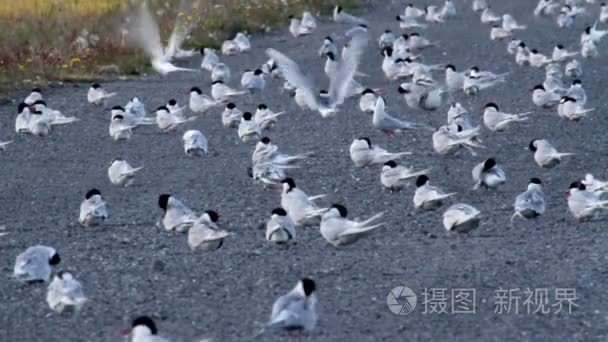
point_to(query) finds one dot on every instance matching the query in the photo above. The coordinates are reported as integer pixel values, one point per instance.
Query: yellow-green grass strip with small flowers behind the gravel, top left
(45, 40)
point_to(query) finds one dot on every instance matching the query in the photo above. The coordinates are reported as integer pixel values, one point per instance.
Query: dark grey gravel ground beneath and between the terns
(131, 267)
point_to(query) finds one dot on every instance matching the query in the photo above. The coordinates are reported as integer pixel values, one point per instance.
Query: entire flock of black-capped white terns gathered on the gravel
(401, 60)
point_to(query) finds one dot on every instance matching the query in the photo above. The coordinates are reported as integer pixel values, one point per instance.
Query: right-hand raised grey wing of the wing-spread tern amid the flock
(341, 79)
